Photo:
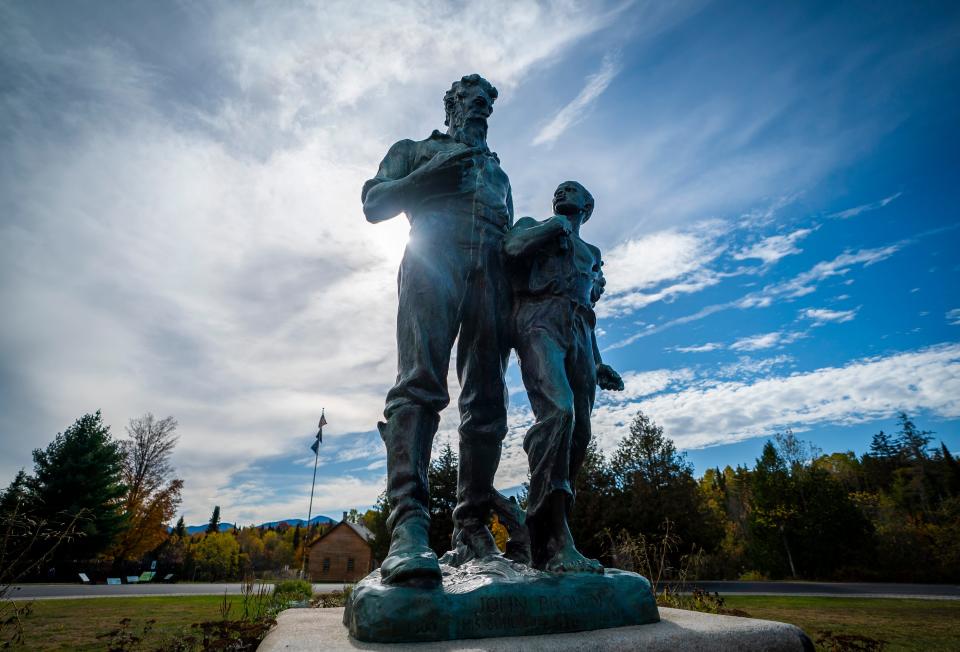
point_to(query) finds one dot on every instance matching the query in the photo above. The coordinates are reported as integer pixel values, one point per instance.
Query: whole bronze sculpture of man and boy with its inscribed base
(469, 275)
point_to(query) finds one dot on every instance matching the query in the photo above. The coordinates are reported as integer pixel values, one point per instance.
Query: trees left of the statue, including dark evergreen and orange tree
(102, 506)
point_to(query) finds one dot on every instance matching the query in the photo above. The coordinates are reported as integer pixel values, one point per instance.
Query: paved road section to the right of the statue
(835, 589)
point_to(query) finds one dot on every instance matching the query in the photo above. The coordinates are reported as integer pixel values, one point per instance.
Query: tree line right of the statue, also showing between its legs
(892, 513)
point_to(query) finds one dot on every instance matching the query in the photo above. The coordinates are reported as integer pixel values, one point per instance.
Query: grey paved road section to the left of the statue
(52, 591)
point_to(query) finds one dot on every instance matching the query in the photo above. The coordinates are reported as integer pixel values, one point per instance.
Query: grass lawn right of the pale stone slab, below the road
(904, 624)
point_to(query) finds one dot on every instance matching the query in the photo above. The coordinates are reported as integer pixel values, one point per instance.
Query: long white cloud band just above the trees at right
(860, 391)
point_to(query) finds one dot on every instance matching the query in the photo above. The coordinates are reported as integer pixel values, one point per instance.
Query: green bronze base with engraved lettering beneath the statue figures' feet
(496, 597)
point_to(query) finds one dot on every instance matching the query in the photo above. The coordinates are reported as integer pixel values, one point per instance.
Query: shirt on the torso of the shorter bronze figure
(570, 269)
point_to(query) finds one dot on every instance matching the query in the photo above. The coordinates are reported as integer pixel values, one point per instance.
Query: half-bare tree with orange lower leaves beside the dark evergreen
(153, 493)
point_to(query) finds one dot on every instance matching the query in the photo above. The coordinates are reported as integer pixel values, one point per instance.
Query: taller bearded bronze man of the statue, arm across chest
(452, 285)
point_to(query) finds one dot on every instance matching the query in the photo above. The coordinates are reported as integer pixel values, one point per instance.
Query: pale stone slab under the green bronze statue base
(302, 630)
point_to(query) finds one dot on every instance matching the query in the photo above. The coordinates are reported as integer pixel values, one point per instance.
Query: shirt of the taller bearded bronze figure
(483, 196)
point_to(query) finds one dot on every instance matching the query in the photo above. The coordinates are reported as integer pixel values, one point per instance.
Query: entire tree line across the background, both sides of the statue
(893, 513)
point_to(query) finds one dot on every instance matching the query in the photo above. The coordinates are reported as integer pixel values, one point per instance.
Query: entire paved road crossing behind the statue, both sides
(848, 589)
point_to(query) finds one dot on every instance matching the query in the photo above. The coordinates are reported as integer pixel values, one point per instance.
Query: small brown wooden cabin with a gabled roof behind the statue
(342, 554)
